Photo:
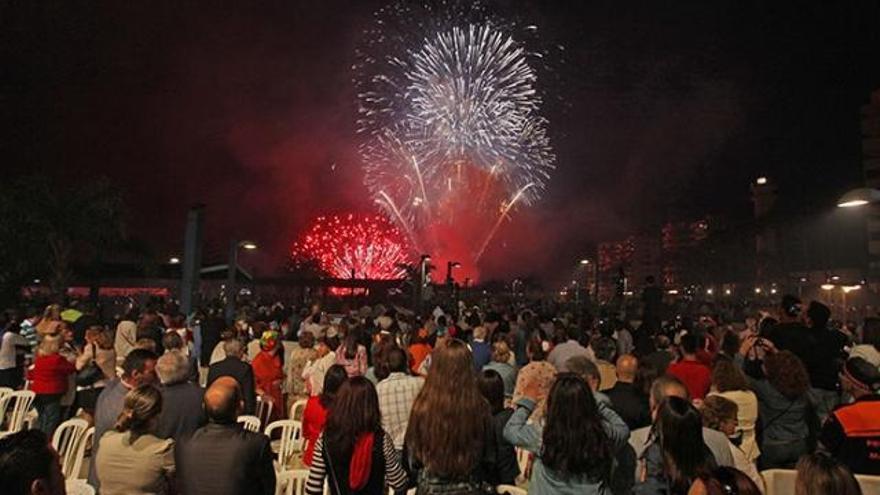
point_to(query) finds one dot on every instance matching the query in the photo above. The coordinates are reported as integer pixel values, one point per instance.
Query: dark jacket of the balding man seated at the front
(225, 459)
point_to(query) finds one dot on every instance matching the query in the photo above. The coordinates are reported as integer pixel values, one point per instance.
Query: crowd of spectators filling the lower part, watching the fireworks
(447, 402)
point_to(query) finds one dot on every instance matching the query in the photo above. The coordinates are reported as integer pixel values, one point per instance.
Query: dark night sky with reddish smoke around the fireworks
(657, 112)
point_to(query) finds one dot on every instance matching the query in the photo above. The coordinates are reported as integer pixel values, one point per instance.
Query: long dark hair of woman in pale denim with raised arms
(574, 441)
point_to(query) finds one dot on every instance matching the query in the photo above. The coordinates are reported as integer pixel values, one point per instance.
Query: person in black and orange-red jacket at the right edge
(852, 432)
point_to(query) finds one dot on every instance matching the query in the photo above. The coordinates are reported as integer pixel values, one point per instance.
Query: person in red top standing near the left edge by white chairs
(49, 381)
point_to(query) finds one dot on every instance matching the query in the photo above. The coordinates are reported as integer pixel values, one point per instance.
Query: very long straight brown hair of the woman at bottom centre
(449, 416)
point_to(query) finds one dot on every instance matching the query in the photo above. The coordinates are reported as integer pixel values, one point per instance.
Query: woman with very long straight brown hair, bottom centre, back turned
(449, 436)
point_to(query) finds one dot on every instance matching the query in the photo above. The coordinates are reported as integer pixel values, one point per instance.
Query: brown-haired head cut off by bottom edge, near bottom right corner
(820, 473)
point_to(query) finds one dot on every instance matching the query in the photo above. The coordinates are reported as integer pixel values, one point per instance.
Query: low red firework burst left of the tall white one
(353, 246)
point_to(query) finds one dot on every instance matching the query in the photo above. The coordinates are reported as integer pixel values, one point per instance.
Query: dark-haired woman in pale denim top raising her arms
(574, 451)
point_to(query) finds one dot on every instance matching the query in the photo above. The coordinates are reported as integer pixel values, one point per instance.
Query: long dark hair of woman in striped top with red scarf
(355, 411)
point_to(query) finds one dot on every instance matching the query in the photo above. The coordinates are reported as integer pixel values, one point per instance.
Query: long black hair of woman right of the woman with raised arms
(686, 457)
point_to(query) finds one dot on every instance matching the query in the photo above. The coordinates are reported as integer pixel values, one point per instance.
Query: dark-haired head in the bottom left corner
(29, 465)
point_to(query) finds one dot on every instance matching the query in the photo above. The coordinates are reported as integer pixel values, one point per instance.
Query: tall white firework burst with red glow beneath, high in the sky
(452, 135)
